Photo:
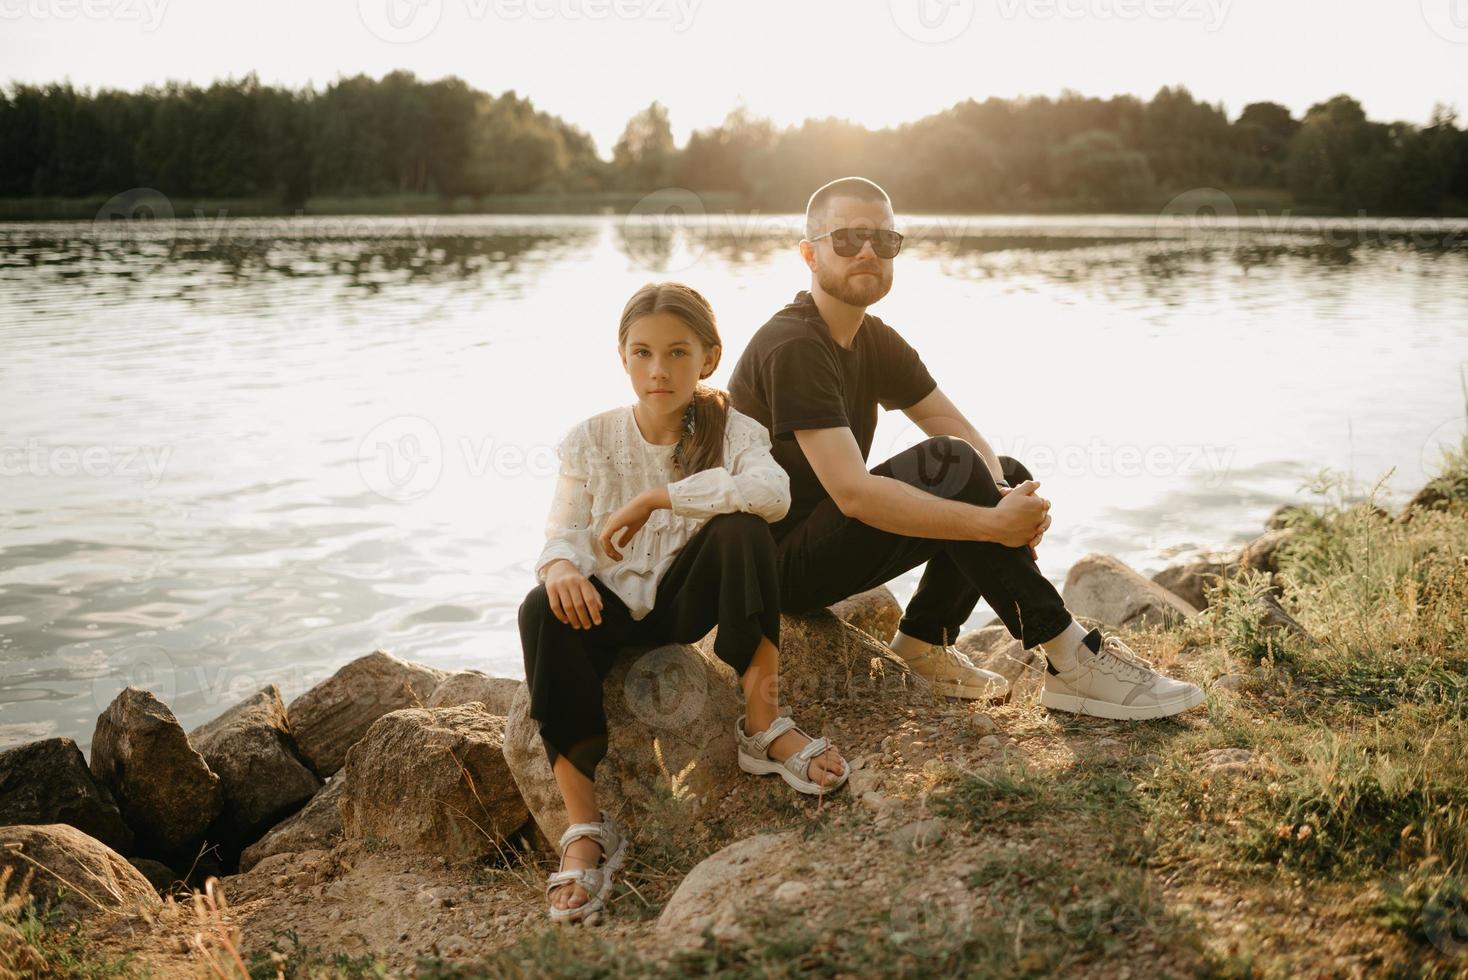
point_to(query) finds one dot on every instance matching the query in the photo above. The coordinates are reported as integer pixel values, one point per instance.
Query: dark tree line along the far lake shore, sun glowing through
(363, 137)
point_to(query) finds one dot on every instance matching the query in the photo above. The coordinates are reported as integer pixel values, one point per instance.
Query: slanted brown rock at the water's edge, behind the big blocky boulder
(330, 718)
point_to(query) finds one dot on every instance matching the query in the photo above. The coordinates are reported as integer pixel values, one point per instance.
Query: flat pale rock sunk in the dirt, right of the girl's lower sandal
(742, 877)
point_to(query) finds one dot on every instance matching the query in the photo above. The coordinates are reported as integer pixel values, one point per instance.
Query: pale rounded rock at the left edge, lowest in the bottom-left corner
(76, 874)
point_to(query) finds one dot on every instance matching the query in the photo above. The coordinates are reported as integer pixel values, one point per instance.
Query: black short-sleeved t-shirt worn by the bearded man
(793, 375)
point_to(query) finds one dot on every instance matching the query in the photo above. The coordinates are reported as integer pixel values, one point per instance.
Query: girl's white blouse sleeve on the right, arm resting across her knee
(751, 480)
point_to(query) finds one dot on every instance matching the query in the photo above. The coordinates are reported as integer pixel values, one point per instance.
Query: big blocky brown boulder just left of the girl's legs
(434, 781)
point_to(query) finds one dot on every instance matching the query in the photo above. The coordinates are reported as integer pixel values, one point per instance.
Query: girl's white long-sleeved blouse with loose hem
(606, 463)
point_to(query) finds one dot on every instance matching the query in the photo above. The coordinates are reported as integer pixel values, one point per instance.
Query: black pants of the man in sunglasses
(830, 557)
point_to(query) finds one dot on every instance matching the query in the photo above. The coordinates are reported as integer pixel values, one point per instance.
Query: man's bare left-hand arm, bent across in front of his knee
(893, 505)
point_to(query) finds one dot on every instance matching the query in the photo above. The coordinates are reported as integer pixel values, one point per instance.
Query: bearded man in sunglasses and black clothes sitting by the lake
(814, 376)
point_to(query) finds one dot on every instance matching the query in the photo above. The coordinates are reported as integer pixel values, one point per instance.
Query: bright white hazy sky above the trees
(879, 62)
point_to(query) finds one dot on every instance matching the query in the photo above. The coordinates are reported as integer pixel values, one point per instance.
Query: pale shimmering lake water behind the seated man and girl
(240, 453)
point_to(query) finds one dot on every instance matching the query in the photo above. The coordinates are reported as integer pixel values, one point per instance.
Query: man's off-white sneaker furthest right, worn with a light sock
(1112, 681)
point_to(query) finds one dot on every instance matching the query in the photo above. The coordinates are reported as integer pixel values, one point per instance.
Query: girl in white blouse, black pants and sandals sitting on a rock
(660, 532)
